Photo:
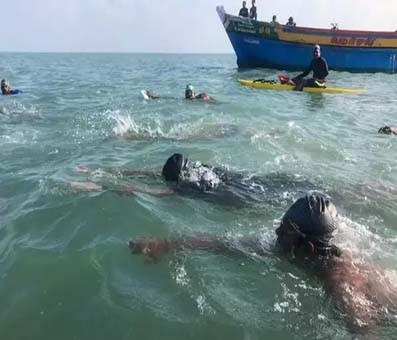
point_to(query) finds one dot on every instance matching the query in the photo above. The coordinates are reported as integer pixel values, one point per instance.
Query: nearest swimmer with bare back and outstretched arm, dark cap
(362, 292)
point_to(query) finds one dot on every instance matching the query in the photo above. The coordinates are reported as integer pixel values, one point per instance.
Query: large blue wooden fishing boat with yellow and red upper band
(261, 44)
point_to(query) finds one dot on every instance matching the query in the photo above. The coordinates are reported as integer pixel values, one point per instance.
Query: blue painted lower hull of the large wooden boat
(254, 51)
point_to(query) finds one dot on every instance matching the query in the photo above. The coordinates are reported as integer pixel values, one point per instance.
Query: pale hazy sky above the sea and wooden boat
(165, 26)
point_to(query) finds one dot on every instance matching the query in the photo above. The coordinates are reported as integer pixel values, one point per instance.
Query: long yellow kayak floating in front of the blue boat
(285, 87)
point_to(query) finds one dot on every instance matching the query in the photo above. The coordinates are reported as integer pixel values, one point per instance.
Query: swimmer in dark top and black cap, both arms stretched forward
(184, 176)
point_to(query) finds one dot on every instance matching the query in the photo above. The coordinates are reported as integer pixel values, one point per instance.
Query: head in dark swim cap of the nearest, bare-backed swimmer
(308, 227)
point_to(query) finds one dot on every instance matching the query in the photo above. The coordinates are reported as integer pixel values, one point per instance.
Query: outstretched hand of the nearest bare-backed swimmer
(152, 248)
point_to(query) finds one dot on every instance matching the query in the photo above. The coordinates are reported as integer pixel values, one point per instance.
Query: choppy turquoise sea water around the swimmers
(65, 269)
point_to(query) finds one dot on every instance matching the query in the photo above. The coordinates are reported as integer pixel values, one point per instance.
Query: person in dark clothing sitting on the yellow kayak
(319, 67)
